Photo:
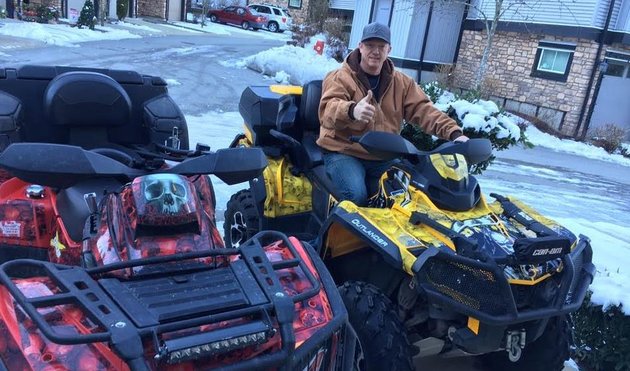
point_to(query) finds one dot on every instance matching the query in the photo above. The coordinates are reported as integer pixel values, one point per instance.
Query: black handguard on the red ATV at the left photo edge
(59, 165)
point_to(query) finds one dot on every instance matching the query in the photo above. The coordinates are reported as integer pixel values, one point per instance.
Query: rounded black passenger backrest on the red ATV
(87, 104)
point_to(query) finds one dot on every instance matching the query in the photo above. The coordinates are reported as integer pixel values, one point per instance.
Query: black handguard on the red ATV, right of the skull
(231, 165)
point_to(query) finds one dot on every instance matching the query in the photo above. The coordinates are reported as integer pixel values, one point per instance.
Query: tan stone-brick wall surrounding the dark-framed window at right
(557, 103)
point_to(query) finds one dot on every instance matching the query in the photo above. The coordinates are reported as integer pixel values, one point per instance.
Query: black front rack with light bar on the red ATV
(130, 310)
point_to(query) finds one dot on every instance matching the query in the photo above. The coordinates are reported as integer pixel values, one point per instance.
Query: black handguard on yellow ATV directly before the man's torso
(385, 145)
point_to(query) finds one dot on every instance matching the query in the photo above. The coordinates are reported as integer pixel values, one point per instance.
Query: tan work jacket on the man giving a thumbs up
(400, 98)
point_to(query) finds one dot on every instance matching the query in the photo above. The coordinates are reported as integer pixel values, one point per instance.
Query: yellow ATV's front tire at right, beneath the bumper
(548, 352)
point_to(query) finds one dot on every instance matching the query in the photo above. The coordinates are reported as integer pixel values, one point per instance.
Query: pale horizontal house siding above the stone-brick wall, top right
(568, 12)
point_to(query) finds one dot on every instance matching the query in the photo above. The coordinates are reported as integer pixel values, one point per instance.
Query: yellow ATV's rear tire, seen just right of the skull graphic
(241, 219)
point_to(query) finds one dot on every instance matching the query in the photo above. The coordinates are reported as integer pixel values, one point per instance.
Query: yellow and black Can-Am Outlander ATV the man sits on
(431, 266)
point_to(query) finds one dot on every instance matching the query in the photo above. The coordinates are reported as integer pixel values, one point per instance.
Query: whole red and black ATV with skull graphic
(112, 259)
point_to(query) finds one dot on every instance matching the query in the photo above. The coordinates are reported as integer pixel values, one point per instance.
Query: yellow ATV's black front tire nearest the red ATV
(380, 332)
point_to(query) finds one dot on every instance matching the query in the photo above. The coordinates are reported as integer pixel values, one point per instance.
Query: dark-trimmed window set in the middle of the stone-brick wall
(553, 60)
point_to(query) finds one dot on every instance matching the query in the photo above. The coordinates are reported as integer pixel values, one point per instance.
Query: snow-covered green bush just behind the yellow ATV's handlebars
(478, 119)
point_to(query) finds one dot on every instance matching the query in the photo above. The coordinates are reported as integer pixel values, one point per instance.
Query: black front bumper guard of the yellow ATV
(481, 290)
